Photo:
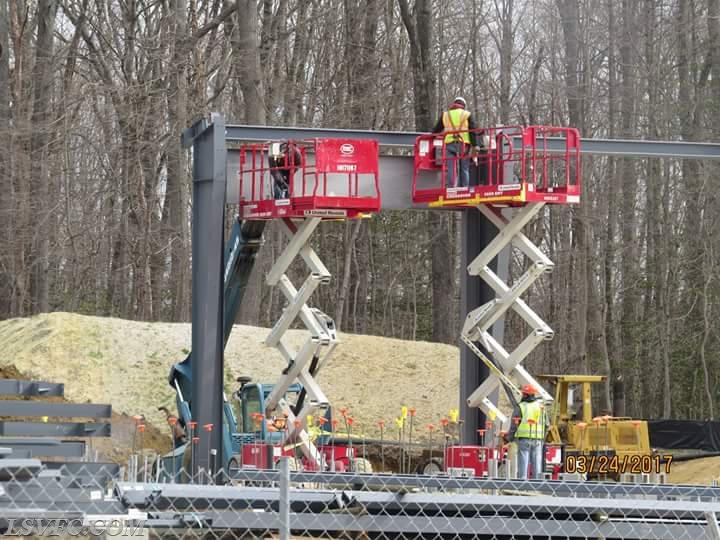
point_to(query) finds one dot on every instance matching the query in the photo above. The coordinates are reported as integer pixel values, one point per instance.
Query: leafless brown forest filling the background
(95, 204)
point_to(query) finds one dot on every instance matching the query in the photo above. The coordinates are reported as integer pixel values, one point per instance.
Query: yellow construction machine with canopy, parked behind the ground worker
(595, 445)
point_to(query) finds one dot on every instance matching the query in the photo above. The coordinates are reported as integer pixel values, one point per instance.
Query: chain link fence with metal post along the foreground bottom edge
(285, 503)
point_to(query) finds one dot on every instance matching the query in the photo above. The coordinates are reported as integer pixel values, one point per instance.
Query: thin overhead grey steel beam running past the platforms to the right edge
(603, 147)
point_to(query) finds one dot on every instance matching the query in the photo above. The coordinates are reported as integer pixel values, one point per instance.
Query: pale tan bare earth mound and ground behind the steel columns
(126, 364)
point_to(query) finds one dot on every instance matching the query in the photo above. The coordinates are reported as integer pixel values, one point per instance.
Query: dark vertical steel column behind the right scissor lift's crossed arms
(476, 233)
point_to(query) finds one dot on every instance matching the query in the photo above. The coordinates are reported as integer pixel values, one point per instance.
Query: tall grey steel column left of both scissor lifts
(209, 179)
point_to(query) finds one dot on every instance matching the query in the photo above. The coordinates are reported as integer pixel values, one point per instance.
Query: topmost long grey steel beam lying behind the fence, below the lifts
(445, 483)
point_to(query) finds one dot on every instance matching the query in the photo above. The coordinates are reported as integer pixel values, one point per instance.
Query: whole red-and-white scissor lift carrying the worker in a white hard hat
(521, 167)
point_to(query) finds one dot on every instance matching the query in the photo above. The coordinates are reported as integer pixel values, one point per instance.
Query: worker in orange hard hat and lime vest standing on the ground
(529, 429)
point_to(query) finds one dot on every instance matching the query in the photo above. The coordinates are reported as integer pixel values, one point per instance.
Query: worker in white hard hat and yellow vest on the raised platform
(458, 145)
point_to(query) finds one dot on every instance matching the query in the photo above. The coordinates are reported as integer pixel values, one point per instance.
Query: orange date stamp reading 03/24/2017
(614, 464)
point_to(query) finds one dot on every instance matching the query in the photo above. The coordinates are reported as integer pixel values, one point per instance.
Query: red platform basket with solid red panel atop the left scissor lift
(326, 179)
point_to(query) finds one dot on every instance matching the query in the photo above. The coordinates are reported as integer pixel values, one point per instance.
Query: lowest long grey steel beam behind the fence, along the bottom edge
(425, 526)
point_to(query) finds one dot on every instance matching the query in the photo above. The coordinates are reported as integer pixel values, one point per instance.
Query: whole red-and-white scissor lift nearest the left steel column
(320, 179)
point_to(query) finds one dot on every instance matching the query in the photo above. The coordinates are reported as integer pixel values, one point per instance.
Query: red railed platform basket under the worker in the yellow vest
(502, 173)
